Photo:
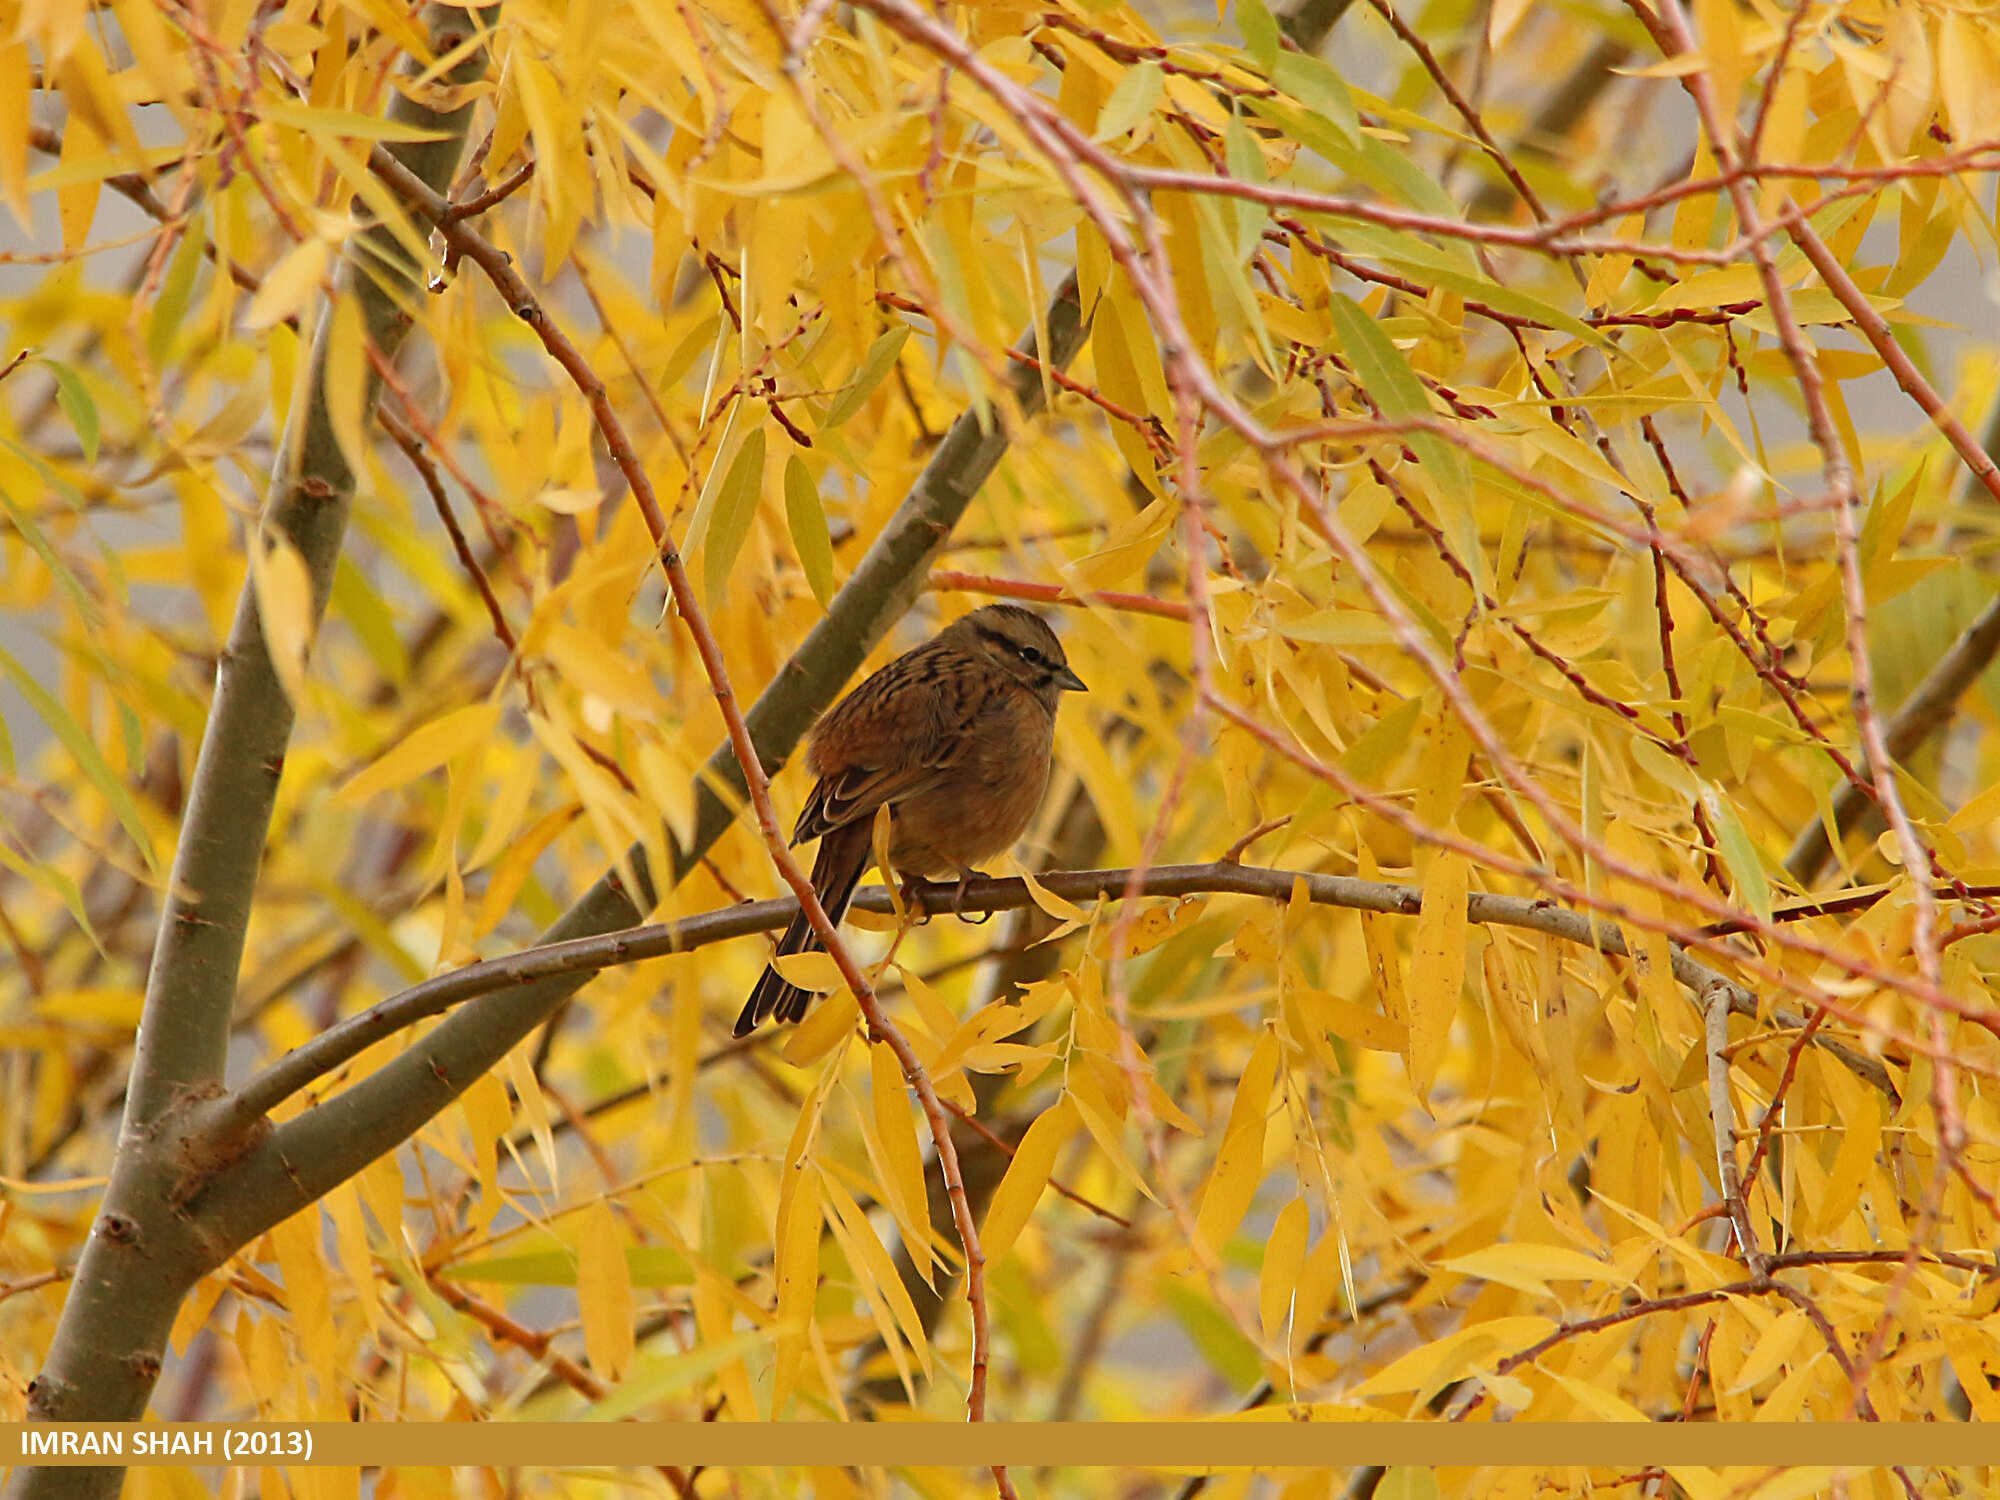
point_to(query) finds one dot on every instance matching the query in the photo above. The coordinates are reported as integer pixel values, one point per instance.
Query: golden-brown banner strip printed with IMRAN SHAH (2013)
(899, 1445)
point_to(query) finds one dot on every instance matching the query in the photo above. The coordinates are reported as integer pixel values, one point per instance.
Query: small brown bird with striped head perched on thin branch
(955, 739)
